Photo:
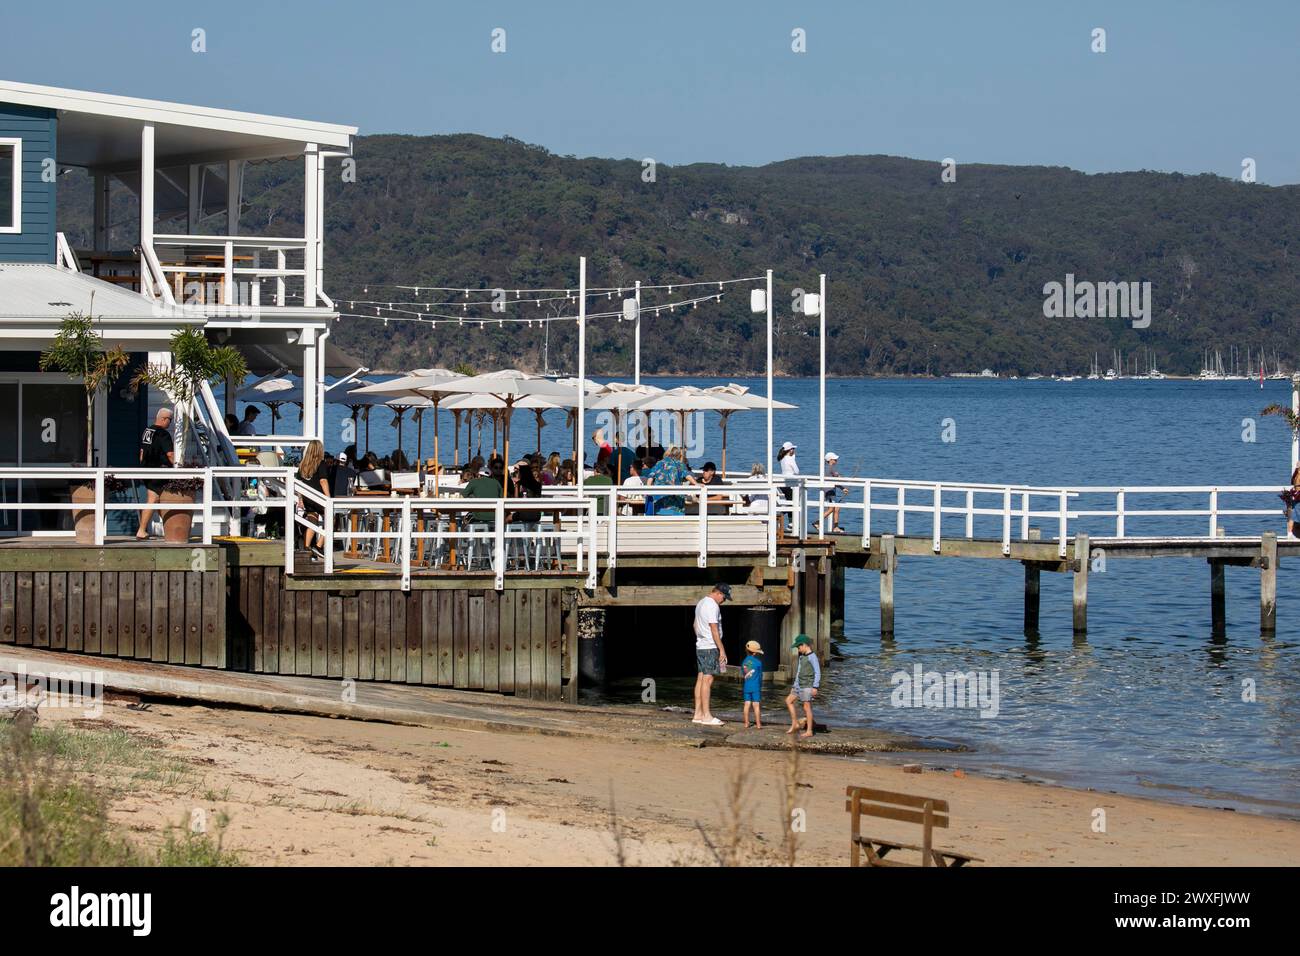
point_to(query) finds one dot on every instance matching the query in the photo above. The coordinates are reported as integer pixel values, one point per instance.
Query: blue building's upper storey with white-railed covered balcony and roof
(164, 185)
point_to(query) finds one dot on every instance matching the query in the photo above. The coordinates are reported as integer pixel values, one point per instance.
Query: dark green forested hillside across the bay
(924, 274)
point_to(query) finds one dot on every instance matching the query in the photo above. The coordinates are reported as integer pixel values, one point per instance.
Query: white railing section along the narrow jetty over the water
(1130, 513)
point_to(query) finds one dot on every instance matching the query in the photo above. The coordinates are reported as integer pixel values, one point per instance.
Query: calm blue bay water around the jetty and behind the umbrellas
(1151, 703)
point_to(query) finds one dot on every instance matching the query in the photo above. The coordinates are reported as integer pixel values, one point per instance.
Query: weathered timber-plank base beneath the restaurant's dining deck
(231, 605)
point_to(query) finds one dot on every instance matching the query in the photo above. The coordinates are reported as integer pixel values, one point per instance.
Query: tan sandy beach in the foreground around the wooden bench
(305, 790)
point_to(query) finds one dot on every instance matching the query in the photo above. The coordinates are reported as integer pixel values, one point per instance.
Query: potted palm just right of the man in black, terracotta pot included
(194, 362)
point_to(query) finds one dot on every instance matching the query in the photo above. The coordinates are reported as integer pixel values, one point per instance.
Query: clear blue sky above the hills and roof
(1188, 86)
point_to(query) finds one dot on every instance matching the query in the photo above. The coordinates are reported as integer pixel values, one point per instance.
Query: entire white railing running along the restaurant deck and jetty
(742, 517)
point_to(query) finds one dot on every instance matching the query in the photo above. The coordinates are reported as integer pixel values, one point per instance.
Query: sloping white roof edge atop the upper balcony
(176, 114)
